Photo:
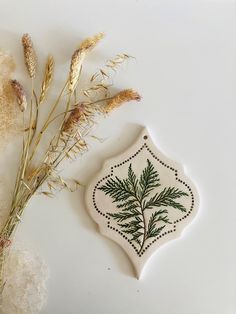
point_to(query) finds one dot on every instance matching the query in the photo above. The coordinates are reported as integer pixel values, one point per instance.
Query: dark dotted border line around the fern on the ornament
(144, 146)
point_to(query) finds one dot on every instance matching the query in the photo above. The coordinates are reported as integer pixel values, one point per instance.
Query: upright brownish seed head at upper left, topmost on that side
(29, 55)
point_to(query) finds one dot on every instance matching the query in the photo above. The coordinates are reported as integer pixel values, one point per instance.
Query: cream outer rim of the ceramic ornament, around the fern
(143, 141)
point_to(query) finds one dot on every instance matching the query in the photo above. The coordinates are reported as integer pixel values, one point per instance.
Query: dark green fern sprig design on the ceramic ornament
(133, 199)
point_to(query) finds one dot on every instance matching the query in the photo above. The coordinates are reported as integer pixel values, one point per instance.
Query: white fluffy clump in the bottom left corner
(25, 290)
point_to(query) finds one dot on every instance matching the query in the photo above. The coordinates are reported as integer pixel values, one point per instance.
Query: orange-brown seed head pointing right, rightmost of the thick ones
(123, 96)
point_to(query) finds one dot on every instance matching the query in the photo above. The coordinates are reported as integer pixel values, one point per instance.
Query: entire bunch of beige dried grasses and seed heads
(73, 118)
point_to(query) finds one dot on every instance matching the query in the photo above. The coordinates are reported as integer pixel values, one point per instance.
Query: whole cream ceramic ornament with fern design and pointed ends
(141, 199)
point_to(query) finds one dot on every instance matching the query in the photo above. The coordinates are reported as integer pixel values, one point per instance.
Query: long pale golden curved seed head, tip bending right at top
(78, 58)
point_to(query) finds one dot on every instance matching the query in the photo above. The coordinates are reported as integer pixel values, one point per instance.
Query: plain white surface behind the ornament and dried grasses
(185, 69)
